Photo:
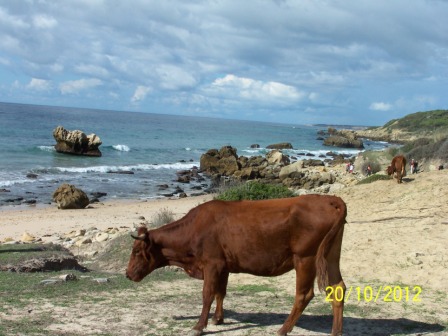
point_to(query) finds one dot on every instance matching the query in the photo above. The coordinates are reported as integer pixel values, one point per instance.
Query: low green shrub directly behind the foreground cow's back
(254, 191)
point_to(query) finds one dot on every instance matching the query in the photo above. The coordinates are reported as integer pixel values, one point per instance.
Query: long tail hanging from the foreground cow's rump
(327, 243)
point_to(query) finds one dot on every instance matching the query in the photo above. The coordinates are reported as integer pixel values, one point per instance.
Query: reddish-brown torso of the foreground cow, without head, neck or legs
(260, 237)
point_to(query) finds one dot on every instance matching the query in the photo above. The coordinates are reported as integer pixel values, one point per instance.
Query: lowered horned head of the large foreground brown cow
(143, 259)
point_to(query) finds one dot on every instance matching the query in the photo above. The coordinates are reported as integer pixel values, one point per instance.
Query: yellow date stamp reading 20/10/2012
(372, 294)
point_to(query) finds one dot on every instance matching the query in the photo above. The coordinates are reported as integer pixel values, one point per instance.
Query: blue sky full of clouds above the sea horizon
(346, 62)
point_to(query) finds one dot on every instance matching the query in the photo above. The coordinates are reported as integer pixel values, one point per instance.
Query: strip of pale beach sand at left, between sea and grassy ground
(49, 220)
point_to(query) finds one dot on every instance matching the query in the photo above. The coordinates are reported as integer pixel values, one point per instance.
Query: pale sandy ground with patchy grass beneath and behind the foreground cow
(394, 263)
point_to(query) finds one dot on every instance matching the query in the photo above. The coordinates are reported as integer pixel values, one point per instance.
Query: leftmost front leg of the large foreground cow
(211, 281)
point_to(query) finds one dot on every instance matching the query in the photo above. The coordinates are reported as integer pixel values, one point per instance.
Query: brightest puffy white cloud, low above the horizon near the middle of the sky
(251, 89)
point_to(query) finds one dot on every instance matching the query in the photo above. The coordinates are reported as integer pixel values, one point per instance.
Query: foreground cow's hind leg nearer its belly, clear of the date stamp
(305, 274)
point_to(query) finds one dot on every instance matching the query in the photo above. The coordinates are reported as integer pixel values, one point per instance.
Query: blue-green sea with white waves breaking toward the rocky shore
(140, 151)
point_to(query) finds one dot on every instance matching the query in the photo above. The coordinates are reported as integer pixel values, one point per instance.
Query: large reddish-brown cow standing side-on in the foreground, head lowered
(265, 238)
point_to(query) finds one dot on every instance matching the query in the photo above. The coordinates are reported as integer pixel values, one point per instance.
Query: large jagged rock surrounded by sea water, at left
(76, 142)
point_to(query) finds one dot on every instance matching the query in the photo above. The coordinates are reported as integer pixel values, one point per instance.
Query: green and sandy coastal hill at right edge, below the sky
(429, 125)
